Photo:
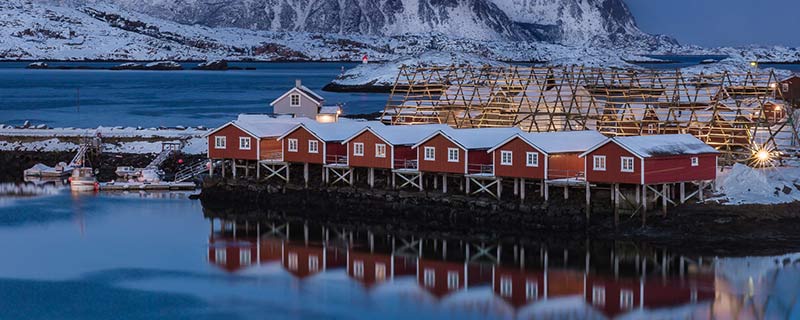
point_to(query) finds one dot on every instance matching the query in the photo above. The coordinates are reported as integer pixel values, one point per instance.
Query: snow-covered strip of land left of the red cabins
(115, 140)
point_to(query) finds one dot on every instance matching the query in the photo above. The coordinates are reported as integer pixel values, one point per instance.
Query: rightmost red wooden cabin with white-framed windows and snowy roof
(647, 160)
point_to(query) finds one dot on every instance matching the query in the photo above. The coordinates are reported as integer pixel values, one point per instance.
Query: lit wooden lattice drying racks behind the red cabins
(737, 113)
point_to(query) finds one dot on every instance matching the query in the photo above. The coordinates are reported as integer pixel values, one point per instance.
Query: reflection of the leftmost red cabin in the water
(235, 255)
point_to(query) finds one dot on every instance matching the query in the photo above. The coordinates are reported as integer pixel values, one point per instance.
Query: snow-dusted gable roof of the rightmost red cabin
(659, 145)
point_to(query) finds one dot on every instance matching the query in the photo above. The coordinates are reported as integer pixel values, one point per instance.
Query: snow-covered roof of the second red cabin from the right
(564, 141)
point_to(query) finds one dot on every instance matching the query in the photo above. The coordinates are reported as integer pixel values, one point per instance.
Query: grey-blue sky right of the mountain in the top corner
(721, 22)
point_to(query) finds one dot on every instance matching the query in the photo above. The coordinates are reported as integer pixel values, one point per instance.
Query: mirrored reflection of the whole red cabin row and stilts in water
(595, 281)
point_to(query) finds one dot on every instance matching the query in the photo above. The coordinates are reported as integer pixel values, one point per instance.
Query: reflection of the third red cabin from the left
(371, 268)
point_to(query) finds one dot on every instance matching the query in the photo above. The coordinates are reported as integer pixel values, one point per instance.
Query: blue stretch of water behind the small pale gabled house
(160, 98)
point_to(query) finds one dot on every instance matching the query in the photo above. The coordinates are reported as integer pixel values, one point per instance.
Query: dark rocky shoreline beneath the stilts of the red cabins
(697, 228)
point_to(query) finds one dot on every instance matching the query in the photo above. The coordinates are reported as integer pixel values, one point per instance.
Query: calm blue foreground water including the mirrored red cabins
(157, 257)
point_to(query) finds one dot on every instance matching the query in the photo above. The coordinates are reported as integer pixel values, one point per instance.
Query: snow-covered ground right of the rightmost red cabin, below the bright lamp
(742, 184)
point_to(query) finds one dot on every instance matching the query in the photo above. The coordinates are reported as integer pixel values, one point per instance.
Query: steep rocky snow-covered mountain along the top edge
(555, 21)
